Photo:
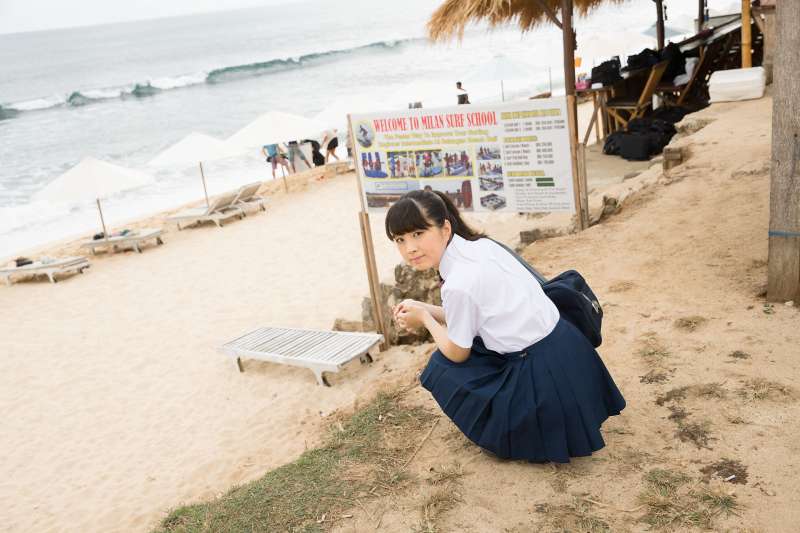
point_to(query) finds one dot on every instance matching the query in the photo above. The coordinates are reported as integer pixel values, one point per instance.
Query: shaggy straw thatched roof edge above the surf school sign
(453, 16)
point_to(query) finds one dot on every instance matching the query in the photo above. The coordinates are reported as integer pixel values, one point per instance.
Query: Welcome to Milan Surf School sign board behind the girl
(504, 157)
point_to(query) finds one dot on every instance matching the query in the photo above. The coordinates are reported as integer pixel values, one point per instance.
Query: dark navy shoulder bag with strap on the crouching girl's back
(572, 297)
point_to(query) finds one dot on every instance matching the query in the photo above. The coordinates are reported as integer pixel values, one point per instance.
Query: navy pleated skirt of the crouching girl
(545, 403)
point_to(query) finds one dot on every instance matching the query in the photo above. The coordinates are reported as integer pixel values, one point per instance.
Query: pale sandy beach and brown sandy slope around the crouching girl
(118, 406)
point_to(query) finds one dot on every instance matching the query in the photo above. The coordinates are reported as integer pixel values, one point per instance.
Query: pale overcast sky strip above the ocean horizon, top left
(29, 15)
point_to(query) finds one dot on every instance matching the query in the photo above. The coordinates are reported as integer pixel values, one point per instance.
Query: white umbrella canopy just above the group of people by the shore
(275, 127)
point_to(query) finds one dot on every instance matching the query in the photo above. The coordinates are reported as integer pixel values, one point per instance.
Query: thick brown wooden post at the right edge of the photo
(783, 268)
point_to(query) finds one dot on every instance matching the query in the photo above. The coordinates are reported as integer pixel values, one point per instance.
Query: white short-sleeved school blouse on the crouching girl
(487, 293)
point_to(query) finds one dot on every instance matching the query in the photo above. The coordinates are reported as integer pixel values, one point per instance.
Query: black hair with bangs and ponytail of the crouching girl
(419, 210)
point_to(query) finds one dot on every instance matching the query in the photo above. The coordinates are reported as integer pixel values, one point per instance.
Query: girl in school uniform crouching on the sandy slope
(514, 376)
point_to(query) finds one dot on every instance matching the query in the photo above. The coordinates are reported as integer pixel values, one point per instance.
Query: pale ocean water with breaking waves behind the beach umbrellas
(124, 92)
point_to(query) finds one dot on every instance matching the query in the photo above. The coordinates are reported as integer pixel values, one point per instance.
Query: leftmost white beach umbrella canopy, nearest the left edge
(92, 179)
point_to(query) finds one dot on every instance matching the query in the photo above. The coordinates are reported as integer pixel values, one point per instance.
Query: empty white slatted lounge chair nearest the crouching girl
(319, 351)
